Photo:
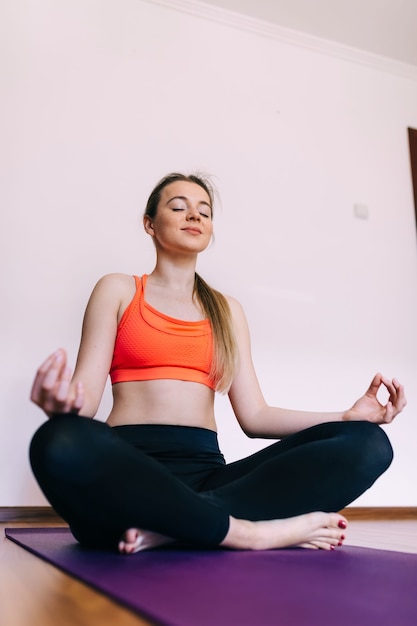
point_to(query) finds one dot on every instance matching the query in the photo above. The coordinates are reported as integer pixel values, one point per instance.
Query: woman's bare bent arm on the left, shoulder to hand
(54, 389)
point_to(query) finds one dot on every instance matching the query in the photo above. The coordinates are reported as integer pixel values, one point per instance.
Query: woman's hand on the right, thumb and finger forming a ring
(369, 408)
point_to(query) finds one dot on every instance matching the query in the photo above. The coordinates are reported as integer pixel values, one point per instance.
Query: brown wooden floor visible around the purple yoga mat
(34, 593)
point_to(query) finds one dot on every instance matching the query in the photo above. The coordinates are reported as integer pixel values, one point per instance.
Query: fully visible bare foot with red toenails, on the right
(313, 530)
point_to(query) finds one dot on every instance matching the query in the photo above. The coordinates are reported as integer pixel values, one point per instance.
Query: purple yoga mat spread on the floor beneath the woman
(293, 587)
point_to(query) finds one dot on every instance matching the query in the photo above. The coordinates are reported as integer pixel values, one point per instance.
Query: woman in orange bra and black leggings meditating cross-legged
(154, 473)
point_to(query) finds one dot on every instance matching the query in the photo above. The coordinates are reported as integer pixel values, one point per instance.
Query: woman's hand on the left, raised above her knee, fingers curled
(52, 389)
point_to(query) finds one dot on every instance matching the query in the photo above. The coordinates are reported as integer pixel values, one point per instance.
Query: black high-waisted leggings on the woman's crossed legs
(173, 479)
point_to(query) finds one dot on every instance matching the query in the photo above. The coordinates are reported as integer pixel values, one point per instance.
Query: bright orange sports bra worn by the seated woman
(151, 345)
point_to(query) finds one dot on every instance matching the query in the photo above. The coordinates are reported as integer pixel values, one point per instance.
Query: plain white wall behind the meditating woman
(102, 98)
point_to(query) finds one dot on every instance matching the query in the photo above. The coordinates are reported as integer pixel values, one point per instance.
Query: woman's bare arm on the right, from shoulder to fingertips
(258, 419)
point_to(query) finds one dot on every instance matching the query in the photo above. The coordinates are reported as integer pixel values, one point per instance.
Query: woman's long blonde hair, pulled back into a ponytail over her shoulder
(212, 302)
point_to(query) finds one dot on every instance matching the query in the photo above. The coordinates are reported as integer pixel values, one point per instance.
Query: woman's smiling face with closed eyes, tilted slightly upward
(183, 221)
